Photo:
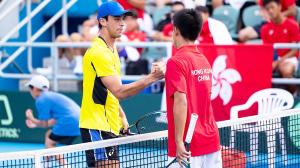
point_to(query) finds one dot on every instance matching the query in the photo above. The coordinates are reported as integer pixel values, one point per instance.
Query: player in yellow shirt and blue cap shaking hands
(101, 115)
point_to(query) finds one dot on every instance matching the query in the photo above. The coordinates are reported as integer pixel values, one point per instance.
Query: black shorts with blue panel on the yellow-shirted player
(108, 153)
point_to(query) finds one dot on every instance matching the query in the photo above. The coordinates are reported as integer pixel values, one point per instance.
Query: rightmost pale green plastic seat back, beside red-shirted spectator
(251, 16)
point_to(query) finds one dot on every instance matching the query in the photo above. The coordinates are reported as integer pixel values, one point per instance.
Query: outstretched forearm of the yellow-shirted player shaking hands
(134, 88)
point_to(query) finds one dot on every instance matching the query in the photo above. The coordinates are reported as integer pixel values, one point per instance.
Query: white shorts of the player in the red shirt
(205, 161)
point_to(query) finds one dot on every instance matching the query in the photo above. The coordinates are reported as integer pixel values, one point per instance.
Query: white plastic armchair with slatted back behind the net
(269, 101)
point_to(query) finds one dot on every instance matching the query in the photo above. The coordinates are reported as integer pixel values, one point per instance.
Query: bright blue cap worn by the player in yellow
(111, 8)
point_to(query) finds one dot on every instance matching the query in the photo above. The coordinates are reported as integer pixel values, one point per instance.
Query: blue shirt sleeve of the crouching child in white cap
(44, 109)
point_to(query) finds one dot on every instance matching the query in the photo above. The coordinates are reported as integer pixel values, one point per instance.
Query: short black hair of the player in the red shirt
(189, 23)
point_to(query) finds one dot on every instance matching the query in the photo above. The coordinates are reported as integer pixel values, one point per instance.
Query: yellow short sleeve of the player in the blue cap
(103, 65)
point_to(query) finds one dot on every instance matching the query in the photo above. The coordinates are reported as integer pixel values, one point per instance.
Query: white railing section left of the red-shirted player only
(54, 54)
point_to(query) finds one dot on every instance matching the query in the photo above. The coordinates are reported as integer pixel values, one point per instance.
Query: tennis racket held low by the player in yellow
(154, 121)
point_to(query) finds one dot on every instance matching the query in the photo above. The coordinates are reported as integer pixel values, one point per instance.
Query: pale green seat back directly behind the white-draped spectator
(229, 16)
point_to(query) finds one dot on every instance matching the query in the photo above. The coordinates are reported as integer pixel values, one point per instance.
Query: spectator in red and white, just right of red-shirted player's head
(213, 31)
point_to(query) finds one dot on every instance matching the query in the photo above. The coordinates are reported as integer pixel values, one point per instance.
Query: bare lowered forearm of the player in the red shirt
(180, 114)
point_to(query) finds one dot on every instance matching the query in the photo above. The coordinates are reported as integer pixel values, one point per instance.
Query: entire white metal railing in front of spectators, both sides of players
(54, 47)
